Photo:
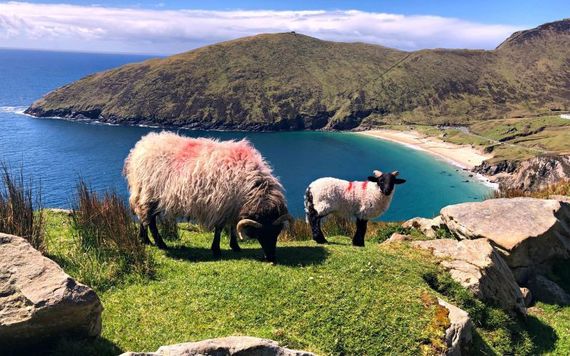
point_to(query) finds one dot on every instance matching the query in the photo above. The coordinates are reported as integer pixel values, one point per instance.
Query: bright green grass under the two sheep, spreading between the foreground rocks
(333, 299)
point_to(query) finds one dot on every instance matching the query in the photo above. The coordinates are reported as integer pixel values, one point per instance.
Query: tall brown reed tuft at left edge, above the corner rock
(21, 211)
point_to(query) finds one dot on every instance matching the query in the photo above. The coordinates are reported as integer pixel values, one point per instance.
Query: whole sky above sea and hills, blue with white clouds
(166, 27)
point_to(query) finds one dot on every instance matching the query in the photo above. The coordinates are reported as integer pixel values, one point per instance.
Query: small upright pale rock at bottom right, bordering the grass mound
(459, 333)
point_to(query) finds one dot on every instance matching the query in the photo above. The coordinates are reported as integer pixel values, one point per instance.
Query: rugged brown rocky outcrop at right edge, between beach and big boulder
(529, 175)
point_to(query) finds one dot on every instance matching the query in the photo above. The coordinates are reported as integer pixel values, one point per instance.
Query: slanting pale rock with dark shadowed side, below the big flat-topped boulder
(478, 267)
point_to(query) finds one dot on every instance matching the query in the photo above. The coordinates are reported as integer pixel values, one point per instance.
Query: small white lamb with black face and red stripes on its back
(360, 200)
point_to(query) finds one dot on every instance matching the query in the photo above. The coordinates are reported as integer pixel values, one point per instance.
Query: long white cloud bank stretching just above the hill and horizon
(96, 28)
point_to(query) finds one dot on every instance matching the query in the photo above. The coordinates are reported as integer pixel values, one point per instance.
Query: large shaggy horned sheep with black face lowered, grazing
(218, 184)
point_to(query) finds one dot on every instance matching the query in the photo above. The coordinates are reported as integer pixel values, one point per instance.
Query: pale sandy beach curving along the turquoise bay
(463, 156)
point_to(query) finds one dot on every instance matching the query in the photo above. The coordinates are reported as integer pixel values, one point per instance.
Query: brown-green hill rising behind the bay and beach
(290, 81)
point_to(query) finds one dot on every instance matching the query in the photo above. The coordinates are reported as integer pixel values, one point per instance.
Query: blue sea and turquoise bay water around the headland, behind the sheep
(59, 151)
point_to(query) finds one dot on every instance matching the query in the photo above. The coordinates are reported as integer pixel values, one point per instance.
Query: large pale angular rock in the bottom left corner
(38, 300)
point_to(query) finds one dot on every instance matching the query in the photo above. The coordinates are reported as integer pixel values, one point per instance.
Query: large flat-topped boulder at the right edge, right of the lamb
(527, 231)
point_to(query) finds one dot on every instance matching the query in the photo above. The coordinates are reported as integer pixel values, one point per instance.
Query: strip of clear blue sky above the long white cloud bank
(529, 12)
